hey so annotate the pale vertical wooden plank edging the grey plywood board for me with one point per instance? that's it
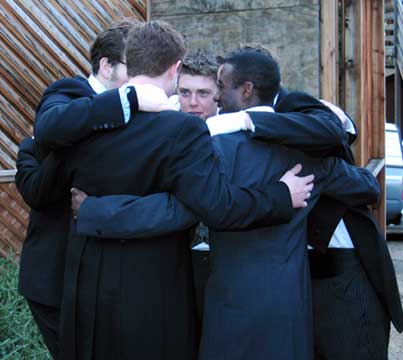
(329, 51)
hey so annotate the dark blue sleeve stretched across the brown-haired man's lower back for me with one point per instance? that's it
(128, 216)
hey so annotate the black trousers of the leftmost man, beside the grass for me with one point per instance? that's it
(47, 318)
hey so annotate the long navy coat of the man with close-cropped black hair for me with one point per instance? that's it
(260, 278)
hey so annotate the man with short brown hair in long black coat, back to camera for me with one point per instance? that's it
(141, 290)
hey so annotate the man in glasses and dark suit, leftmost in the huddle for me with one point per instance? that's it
(41, 184)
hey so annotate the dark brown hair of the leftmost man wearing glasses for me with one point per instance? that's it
(111, 43)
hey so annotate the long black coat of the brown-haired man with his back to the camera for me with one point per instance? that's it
(159, 152)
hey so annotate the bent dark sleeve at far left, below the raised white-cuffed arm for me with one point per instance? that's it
(39, 183)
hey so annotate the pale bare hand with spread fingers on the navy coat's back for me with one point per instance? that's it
(300, 186)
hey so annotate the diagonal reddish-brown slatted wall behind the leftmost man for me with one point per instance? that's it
(40, 42)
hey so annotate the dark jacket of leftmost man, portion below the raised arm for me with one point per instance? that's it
(43, 251)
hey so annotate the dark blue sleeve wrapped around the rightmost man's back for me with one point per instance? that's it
(350, 185)
